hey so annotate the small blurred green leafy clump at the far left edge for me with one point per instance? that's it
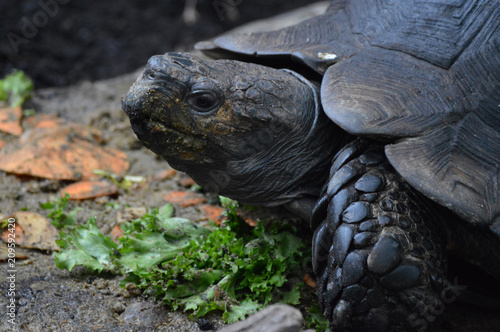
(15, 88)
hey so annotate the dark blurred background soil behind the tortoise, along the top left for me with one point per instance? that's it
(91, 40)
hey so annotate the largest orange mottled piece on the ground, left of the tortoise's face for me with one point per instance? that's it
(62, 152)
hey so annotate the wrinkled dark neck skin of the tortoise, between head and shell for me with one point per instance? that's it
(294, 166)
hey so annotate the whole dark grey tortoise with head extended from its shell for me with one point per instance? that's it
(378, 122)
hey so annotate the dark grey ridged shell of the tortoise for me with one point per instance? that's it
(422, 75)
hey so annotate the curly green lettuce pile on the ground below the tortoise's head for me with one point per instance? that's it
(233, 268)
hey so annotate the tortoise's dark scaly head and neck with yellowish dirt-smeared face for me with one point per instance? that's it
(249, 132)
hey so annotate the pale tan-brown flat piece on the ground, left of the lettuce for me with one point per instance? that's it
(38, 231)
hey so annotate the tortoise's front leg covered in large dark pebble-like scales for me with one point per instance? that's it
(378, 254)
